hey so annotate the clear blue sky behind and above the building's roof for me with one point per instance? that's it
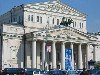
(89, 7)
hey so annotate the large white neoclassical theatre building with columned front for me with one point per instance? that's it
(31, 36)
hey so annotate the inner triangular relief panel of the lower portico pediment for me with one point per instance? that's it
(68, 34)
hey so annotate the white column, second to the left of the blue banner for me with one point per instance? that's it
(53, 55)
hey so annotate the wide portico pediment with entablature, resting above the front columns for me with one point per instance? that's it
(64, 34)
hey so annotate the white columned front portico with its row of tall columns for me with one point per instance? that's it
(56, 57)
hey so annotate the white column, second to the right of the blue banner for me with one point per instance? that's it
(80, 63)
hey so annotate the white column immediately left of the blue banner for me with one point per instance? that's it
(63, 56)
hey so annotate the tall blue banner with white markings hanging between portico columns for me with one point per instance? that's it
(68, 59)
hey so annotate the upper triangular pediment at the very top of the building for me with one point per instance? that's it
(56, 6)
